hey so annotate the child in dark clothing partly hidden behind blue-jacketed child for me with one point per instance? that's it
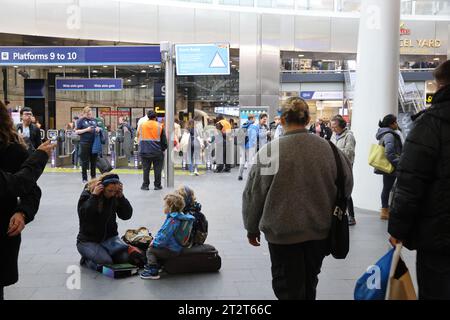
(194, 208)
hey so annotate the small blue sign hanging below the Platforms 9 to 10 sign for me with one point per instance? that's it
(93, 84)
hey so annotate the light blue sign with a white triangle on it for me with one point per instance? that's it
(202, 59)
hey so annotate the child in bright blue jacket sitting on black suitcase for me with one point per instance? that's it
(167, 243)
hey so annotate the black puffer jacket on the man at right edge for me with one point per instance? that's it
(420, 214)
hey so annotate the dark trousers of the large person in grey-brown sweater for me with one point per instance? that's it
(295, 269)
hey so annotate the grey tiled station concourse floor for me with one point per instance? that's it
(48, 247)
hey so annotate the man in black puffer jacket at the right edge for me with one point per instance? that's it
(420, 212)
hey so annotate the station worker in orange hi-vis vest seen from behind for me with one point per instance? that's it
(152, 144)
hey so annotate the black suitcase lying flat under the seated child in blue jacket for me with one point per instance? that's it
(202, 258)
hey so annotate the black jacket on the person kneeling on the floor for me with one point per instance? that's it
(98, 220)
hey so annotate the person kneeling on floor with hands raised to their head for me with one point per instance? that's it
(101, 202)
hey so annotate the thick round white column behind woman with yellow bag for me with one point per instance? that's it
(376, 90)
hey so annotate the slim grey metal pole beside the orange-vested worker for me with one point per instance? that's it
(167, 57)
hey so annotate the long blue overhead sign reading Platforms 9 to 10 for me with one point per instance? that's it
(70, 56)
